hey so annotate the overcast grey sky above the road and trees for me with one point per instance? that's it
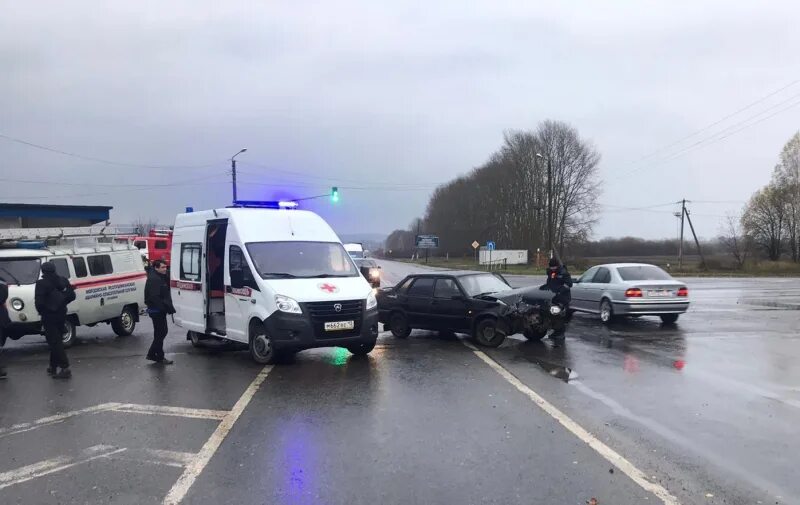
(390, 95)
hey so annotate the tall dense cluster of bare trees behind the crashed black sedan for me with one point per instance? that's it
(540, 188)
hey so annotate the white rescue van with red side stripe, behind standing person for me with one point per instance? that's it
(108, 280)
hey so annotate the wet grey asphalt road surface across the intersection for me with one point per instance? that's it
(709, 409)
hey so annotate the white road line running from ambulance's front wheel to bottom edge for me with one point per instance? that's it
(201, 459)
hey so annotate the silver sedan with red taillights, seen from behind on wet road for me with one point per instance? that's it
(630, 289)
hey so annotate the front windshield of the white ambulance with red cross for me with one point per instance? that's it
(288, 260)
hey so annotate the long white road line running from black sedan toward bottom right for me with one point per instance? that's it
(605, 451)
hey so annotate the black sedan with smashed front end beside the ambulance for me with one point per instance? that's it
(450, 302)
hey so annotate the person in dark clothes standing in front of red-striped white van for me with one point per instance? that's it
(52, 295)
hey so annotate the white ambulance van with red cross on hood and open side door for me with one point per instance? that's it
(278, 280)
